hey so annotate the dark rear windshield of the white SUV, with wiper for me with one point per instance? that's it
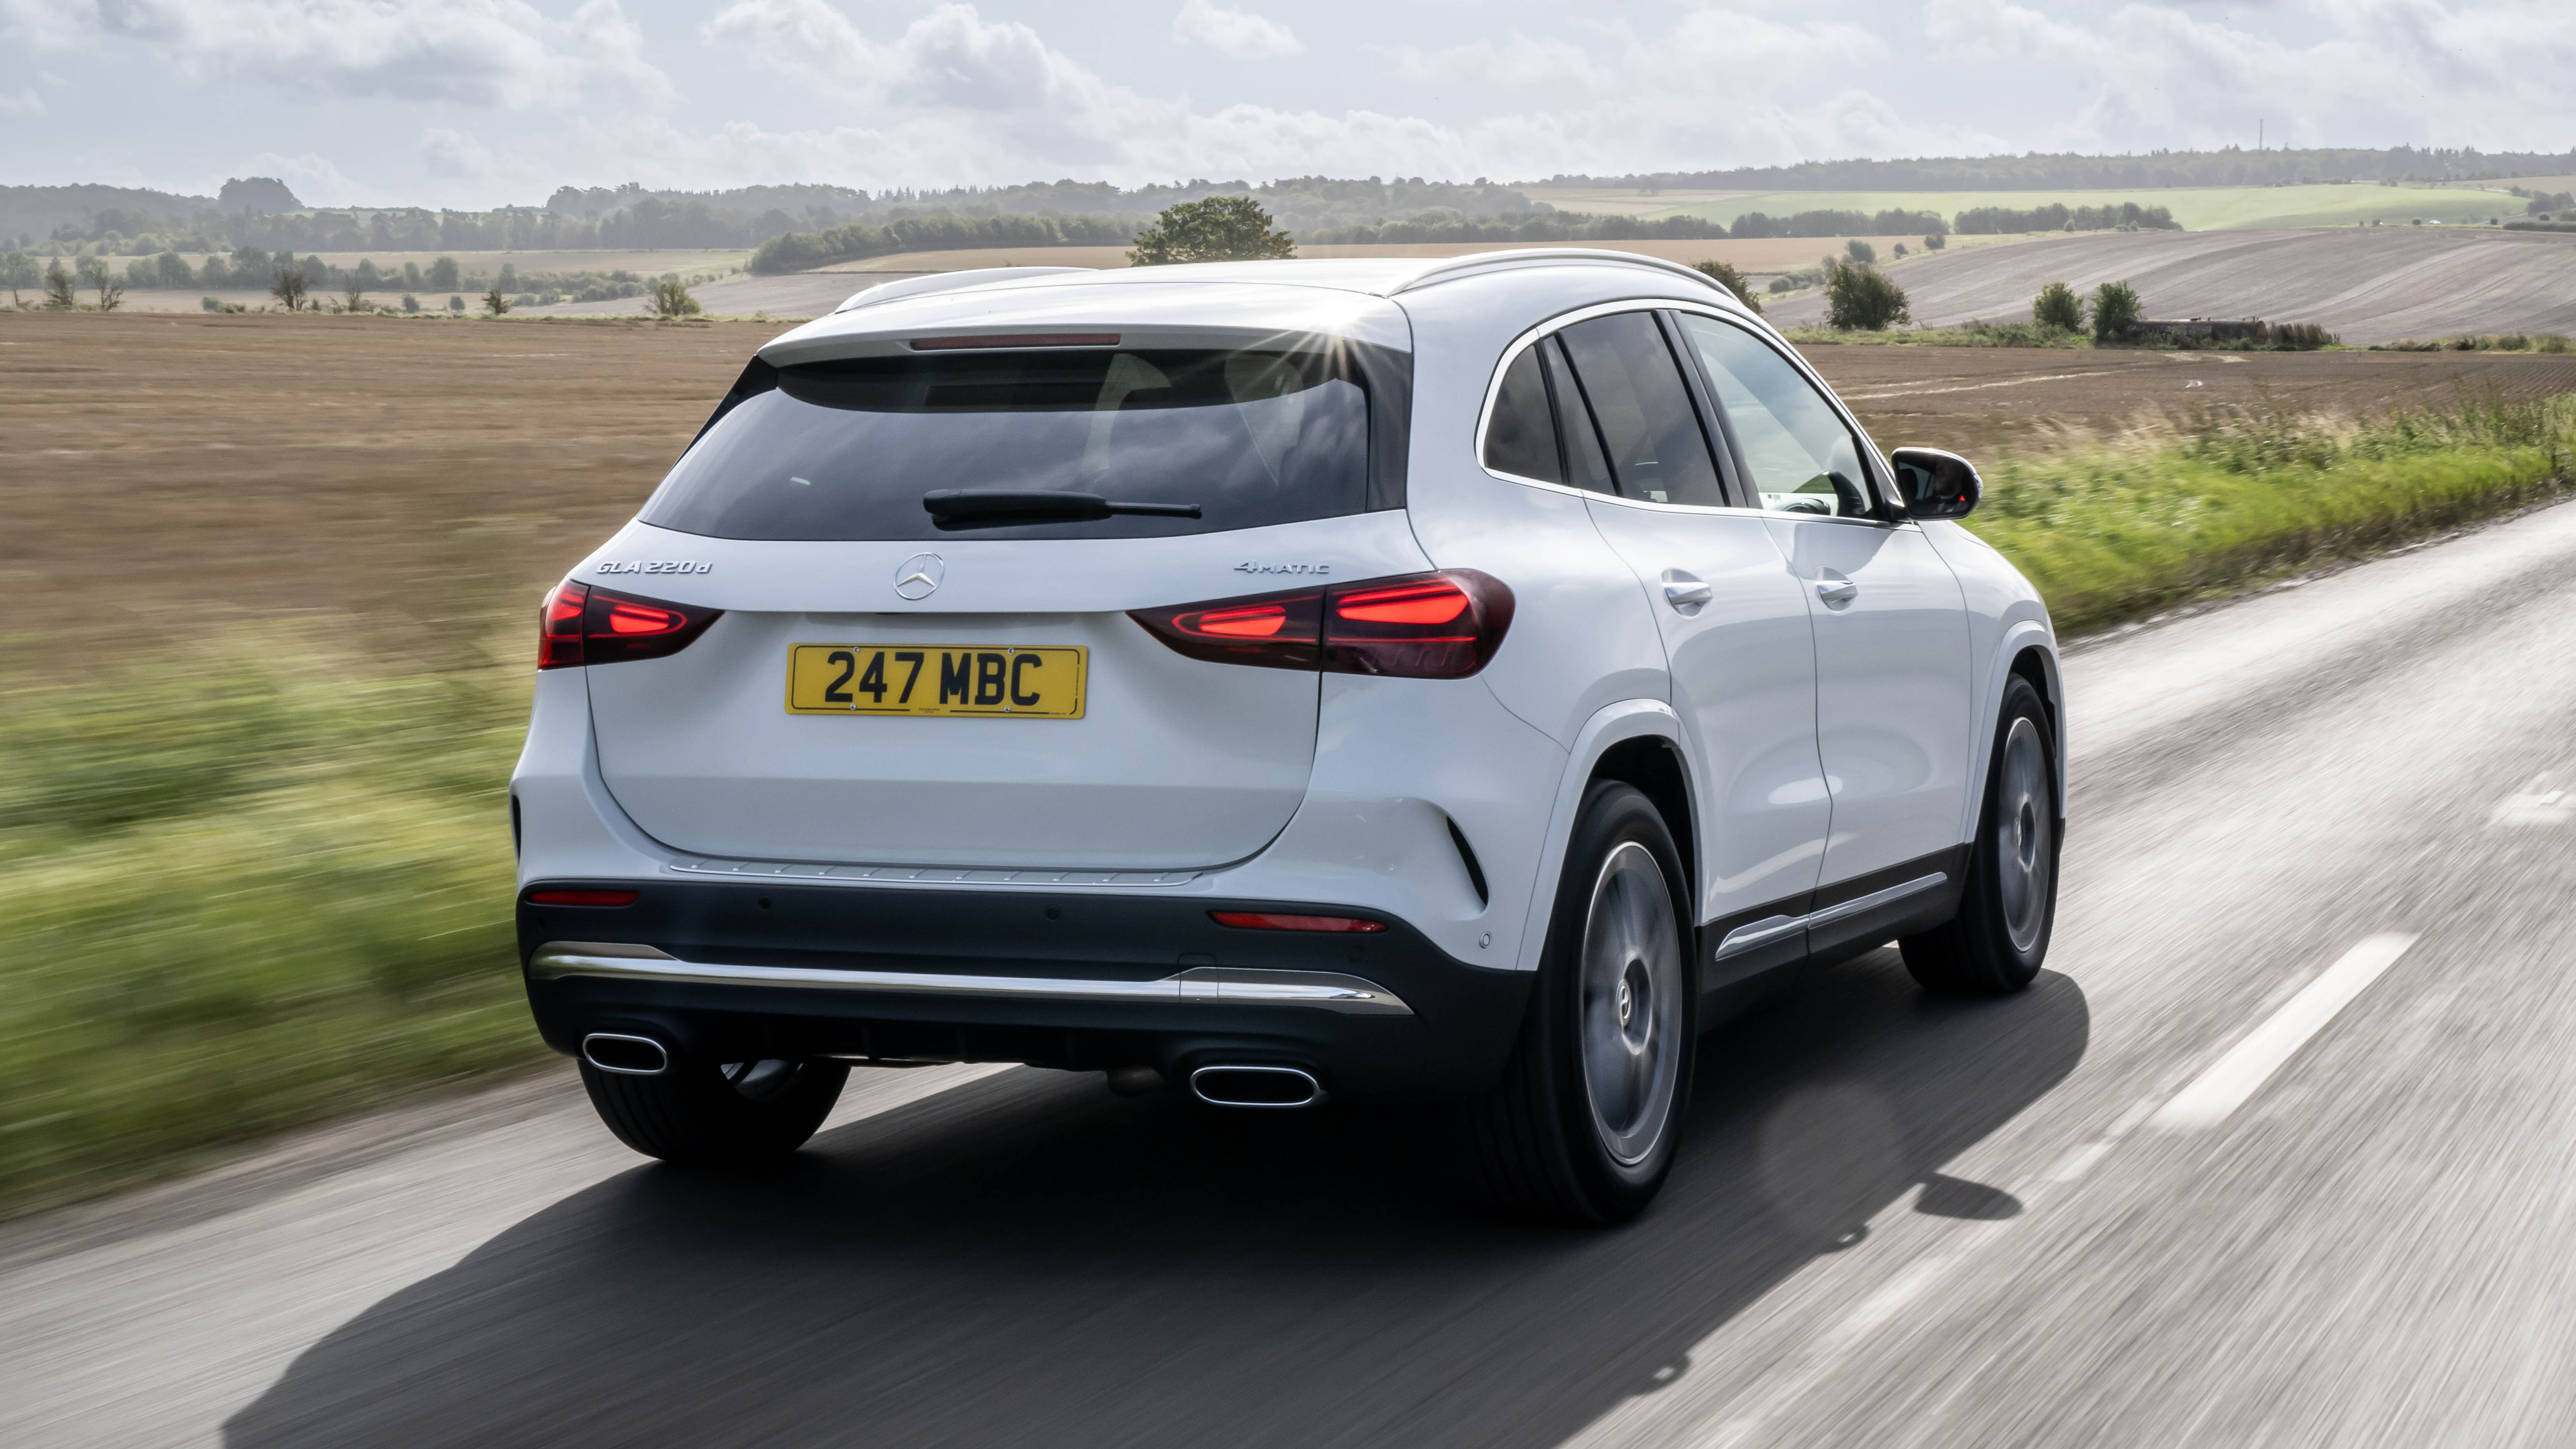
(846, 450)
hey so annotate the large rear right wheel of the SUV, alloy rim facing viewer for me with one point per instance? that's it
(1583, 1125)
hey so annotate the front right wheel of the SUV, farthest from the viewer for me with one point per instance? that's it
(2011, 899)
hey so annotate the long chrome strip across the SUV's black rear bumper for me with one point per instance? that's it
(1227, 986)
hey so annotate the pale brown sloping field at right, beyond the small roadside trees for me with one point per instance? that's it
(2371, 285)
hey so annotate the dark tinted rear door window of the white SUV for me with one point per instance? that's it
(1647, 424)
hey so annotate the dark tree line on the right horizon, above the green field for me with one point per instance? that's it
(2067, 171)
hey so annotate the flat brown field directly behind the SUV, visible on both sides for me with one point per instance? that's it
(403, 481)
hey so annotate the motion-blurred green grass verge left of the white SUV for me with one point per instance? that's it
(246, 891)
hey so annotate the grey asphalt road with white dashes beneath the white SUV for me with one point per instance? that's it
(2281, 1151)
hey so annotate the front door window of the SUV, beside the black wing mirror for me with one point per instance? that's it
(1797, 447)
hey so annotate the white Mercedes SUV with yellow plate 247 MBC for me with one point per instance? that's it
(1377, 679)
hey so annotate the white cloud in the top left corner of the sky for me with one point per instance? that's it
(480, 53)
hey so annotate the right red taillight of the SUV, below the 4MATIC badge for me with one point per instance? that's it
(1439, 625)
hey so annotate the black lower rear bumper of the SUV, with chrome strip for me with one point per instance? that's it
(1068, 981)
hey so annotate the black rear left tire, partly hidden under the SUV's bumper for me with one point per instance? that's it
(710, 1115)
